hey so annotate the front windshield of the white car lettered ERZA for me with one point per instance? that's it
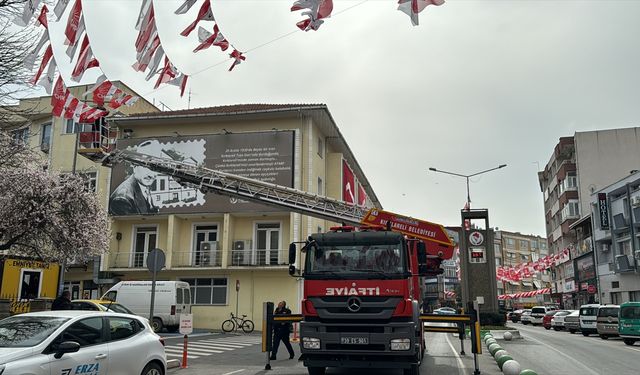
(27, 331)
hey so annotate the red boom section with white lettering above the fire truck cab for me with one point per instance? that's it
(421, 229)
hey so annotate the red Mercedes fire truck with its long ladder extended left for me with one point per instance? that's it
(362, 283)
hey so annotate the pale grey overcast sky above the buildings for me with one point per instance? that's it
(477, 84)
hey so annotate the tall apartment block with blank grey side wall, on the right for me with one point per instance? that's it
(579, 166)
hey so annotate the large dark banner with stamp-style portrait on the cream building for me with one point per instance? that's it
(136, 190)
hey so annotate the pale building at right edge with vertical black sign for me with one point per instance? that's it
(615, 217)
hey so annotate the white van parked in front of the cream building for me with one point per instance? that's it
(172, 299)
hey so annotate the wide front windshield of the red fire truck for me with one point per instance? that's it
(361, 261)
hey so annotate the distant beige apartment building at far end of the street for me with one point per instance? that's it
(515, 249)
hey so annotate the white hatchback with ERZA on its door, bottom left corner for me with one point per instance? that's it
(79, 342)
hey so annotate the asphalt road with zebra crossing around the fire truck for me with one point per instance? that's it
(220, 354)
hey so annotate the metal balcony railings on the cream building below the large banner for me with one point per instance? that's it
(205, 259)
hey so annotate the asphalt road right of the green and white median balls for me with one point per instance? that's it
(562, 353)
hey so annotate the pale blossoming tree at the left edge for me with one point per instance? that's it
(46, 214)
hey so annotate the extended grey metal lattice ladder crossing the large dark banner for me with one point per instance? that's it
(209, 180)
